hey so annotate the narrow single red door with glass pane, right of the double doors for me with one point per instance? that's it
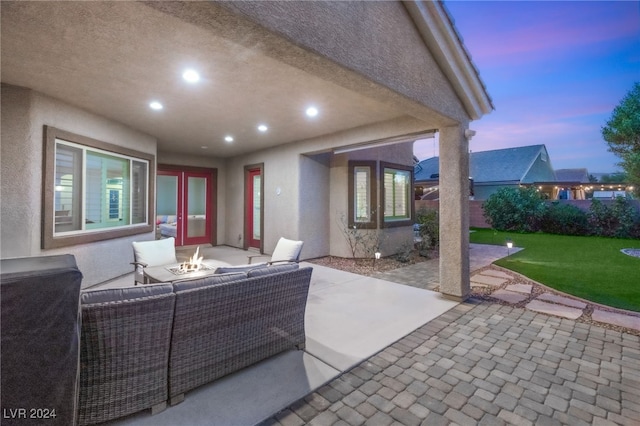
(253, 207)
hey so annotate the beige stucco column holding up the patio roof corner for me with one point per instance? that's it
(454, 212)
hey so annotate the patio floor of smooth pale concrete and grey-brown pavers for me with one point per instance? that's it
(380, 353)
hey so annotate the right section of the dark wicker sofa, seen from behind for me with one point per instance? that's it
(221, 328)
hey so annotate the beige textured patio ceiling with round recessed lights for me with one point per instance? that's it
(113, 58)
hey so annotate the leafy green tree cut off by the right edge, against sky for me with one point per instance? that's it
(622, 134)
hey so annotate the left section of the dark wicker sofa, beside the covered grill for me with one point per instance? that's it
(124, 351)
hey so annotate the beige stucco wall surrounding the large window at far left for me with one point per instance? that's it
(24, 113)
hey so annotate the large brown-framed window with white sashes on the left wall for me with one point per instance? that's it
(93, 189)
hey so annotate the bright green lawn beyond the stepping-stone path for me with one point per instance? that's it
(592, 268)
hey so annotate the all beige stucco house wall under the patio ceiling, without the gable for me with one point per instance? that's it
(312, 182)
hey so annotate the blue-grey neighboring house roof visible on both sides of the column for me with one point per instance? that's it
(526, 164)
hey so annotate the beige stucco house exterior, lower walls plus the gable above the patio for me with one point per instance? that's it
(385, 60)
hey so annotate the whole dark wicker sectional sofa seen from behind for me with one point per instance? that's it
(143, 346)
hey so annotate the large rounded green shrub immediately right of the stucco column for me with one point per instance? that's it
(515, 209)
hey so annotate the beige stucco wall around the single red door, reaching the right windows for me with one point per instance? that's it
(312, 188)
